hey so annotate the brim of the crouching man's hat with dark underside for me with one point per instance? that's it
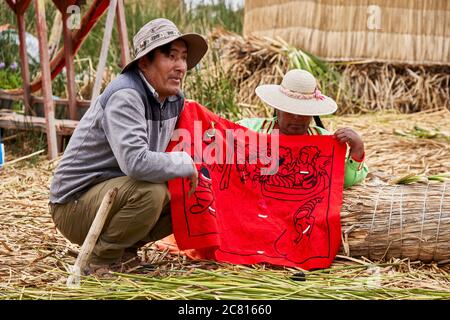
(196, 46)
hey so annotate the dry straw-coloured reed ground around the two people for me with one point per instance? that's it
(34, 257)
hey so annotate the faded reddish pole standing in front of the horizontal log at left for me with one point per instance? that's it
(41, 26)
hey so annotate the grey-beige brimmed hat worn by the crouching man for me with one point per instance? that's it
(161, 31)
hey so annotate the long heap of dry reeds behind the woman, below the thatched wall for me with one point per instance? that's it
(356, 86)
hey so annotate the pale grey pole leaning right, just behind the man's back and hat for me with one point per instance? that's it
(104, 51)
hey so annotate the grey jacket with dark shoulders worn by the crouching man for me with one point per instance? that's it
(125, 132)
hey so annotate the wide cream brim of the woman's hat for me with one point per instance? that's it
(272, 96)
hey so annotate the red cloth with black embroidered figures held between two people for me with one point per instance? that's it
(241, 216)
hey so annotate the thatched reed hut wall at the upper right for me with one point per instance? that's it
(405, 31)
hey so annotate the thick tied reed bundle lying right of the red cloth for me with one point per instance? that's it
(384, 221)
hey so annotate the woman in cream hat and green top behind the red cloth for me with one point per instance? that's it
(296, 101)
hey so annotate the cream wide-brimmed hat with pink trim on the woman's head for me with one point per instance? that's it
(297, 94)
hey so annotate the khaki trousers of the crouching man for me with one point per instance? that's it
(140, 214)
